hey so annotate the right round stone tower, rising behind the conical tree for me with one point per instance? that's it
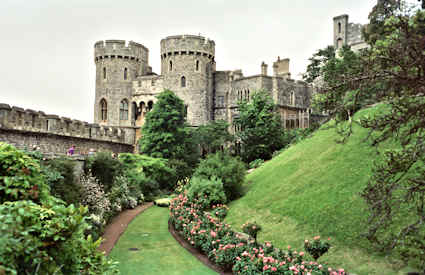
(187, 67)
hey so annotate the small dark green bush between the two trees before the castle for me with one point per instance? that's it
(213, 136)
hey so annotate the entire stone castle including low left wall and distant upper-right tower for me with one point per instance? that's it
(126, 90)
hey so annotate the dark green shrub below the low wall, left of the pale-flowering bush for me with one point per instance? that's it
(62, 181)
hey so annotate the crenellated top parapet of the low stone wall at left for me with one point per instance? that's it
(15, 118)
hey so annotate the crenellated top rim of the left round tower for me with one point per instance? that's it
(120, 49)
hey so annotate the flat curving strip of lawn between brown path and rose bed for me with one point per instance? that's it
(158, 252)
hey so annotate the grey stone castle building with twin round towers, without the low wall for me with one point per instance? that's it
(126, 87)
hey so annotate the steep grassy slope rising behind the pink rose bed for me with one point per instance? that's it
(313, 189)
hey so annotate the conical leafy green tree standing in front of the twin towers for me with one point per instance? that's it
(165, 133)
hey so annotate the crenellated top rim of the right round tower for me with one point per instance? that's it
(187, 44)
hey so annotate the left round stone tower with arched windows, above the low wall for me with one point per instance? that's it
(117, 65)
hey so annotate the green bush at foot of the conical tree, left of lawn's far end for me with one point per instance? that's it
(157, 169)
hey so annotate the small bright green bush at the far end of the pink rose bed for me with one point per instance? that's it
(206, 192)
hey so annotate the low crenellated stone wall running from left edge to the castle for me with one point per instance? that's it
(54, 134)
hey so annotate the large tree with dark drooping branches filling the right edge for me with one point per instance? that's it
(391, 71)
